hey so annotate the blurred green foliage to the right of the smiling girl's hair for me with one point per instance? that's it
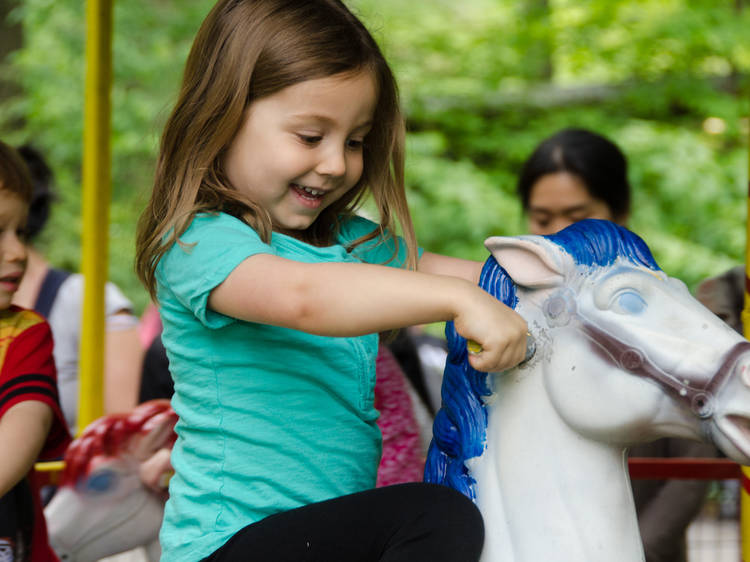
(653, 76)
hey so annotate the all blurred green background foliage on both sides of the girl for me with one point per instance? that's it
(483, 82)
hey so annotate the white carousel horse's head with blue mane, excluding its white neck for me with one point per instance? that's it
(626, 353)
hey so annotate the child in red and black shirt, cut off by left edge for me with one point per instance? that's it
(31, 423)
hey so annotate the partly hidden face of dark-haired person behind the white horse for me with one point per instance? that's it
(558, 200)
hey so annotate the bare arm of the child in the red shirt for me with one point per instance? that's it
(23, 431)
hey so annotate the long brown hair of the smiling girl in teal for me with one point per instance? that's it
(246, 50)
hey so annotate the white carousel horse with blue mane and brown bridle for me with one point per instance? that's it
(624, 355)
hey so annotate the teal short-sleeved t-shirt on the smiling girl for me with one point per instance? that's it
(269, 418)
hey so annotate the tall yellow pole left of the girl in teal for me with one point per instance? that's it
(96, 198)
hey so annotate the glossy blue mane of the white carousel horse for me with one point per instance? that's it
(459, 429)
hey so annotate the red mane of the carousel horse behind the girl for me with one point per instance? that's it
(110, 435)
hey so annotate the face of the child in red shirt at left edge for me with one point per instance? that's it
(13, 212)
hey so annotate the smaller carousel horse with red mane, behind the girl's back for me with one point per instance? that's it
(102, 507)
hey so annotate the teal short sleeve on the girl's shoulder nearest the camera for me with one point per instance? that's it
(209, 250)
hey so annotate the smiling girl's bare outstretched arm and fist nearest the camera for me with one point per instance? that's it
(345, 299)
